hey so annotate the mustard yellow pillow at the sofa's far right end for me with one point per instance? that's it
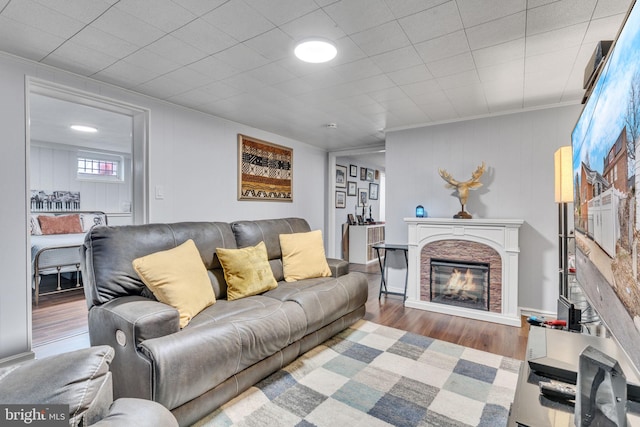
(303, 256)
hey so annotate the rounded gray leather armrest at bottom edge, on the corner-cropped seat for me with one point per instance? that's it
(137, 412)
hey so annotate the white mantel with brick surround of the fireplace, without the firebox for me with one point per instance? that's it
(471, 237)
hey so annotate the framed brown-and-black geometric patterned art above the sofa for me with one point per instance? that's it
(265, 170)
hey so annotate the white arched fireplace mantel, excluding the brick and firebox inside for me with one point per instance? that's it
(500, 234)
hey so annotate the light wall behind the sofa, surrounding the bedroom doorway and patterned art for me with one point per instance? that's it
(192, 155)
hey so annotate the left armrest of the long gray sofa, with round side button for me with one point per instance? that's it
(124, 323)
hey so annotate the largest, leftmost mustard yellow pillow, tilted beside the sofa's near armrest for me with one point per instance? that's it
(179, 278)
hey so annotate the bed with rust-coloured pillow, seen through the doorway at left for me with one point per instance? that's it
(56, 238)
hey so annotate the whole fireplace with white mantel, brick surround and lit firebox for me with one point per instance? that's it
(481, 255)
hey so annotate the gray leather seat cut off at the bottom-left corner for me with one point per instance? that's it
(80, 379)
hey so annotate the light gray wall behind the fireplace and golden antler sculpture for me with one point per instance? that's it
(518, 150)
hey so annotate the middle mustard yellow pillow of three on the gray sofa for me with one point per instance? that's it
(246, 271)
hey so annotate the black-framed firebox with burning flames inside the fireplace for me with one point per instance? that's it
(460, 283)
